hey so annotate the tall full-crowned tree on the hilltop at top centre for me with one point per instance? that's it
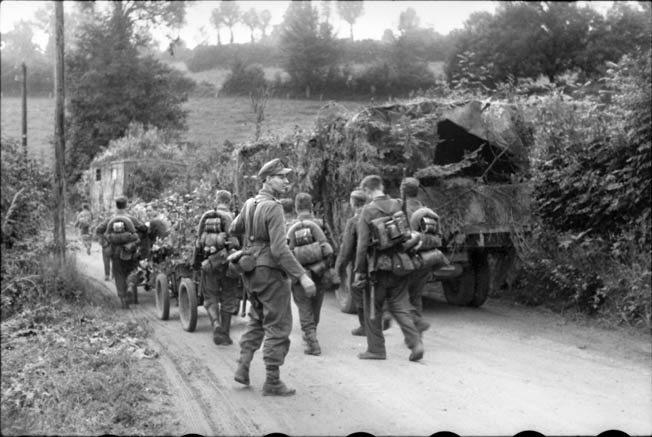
(308, 48)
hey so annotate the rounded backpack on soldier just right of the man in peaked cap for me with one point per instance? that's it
(307, 249)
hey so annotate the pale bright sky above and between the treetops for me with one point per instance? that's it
(442, 16)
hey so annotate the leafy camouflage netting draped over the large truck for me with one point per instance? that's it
(467, 156)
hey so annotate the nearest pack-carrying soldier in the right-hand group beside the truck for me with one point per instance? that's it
(381, 282)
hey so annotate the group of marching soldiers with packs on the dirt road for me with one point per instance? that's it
(278, 251)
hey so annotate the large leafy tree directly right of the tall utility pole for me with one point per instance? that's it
(109, 86)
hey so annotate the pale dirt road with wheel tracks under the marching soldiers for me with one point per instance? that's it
(496, 370)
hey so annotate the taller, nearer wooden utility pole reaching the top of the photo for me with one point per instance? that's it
(59, 142)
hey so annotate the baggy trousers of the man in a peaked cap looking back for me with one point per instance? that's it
(270, 316)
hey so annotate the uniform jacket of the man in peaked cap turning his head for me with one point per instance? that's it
(269, 237)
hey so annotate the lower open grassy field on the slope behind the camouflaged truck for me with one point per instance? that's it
(210, 120)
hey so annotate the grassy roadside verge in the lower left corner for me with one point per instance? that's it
(78, 368)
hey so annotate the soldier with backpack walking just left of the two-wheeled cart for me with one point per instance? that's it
(121, 231)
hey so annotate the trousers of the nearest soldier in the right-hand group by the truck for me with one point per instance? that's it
(393, 290)
